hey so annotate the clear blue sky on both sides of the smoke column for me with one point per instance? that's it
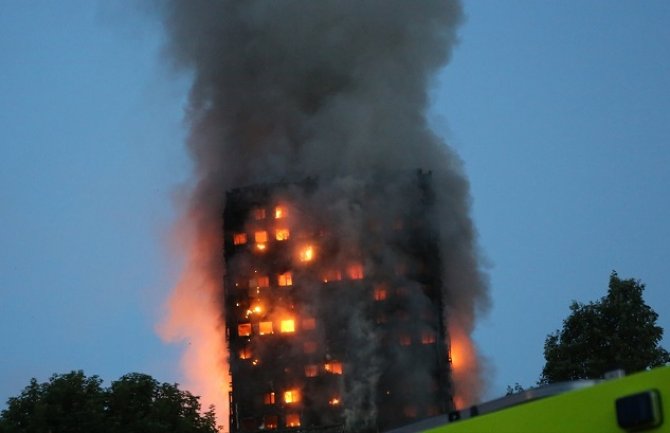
(560, 112)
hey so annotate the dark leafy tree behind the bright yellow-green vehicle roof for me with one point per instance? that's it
(618, 331)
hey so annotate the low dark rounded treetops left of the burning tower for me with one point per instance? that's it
(72, 403)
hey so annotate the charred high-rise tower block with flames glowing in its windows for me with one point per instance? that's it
(334, 307)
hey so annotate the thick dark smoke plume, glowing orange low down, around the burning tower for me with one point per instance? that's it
(333, 88)
